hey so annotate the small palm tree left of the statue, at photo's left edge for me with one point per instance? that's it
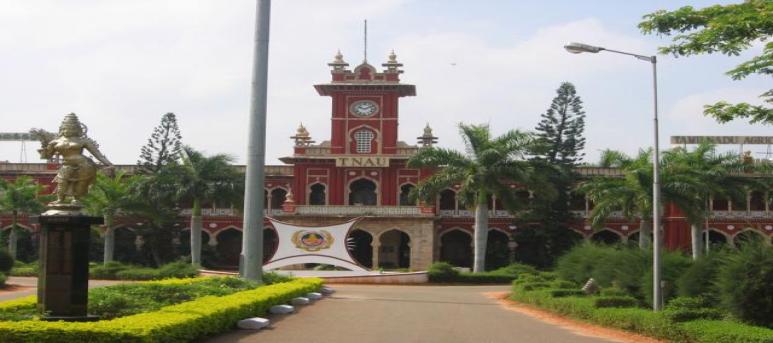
(20, 196)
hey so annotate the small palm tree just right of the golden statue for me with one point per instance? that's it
(108, 197)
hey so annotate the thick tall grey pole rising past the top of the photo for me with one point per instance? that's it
(251, 258)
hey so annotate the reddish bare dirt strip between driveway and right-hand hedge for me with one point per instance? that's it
(578, 327)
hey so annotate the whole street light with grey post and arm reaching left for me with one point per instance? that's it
(657, 297)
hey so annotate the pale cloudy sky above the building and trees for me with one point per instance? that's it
(120, 65)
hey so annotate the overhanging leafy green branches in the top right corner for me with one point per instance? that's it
(727, 29)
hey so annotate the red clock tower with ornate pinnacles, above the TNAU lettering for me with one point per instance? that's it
(365, 106)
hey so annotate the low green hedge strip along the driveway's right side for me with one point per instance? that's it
(643, 321)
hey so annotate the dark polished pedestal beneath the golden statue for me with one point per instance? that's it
(63, 283)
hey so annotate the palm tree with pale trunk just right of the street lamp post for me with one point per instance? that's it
(707, 174)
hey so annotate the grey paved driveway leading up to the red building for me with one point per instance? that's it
(408, 314)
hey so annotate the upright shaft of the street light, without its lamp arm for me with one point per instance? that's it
(657, 300)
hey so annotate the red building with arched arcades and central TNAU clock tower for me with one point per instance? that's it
(361, 172)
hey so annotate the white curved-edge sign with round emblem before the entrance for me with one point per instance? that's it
(330, 249)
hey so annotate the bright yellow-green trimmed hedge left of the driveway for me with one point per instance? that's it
(177, 323)
